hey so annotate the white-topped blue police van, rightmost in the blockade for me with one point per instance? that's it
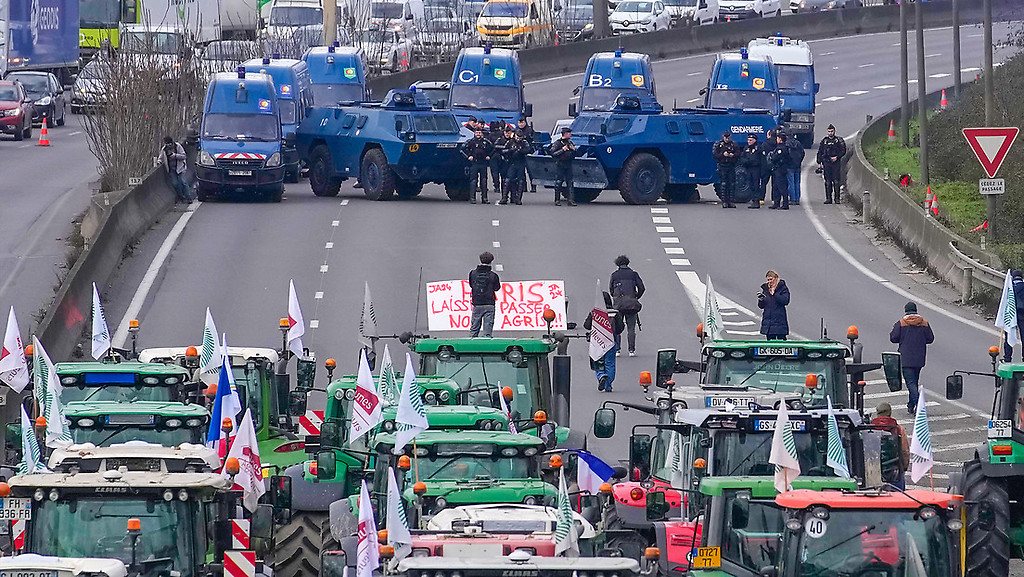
(795, 69)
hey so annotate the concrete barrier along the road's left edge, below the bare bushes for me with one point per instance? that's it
(69, 319)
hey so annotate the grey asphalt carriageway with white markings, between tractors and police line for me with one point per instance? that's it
(238, 259)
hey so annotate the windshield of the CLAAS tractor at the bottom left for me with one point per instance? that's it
(96, 527)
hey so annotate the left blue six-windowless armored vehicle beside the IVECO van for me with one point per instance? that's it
(394, 148)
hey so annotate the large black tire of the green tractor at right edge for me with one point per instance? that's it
(988, 523)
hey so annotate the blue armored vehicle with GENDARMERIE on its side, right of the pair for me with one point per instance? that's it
(645, 153)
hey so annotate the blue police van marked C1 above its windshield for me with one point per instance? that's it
(488, 84)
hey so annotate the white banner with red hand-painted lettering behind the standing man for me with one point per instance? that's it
(520, 306)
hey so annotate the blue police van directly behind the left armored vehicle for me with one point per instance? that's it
(338, 74)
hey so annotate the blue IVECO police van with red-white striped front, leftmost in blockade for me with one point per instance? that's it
(240, 139)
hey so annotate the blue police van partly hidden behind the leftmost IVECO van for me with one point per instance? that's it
(295, 95)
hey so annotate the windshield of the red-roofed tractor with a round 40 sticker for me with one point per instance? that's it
(877, 543)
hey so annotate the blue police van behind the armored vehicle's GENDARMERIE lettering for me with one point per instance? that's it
(740, 81)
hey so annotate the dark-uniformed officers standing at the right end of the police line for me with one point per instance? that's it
(745, 173)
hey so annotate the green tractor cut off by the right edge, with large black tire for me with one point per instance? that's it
(992, 482)
